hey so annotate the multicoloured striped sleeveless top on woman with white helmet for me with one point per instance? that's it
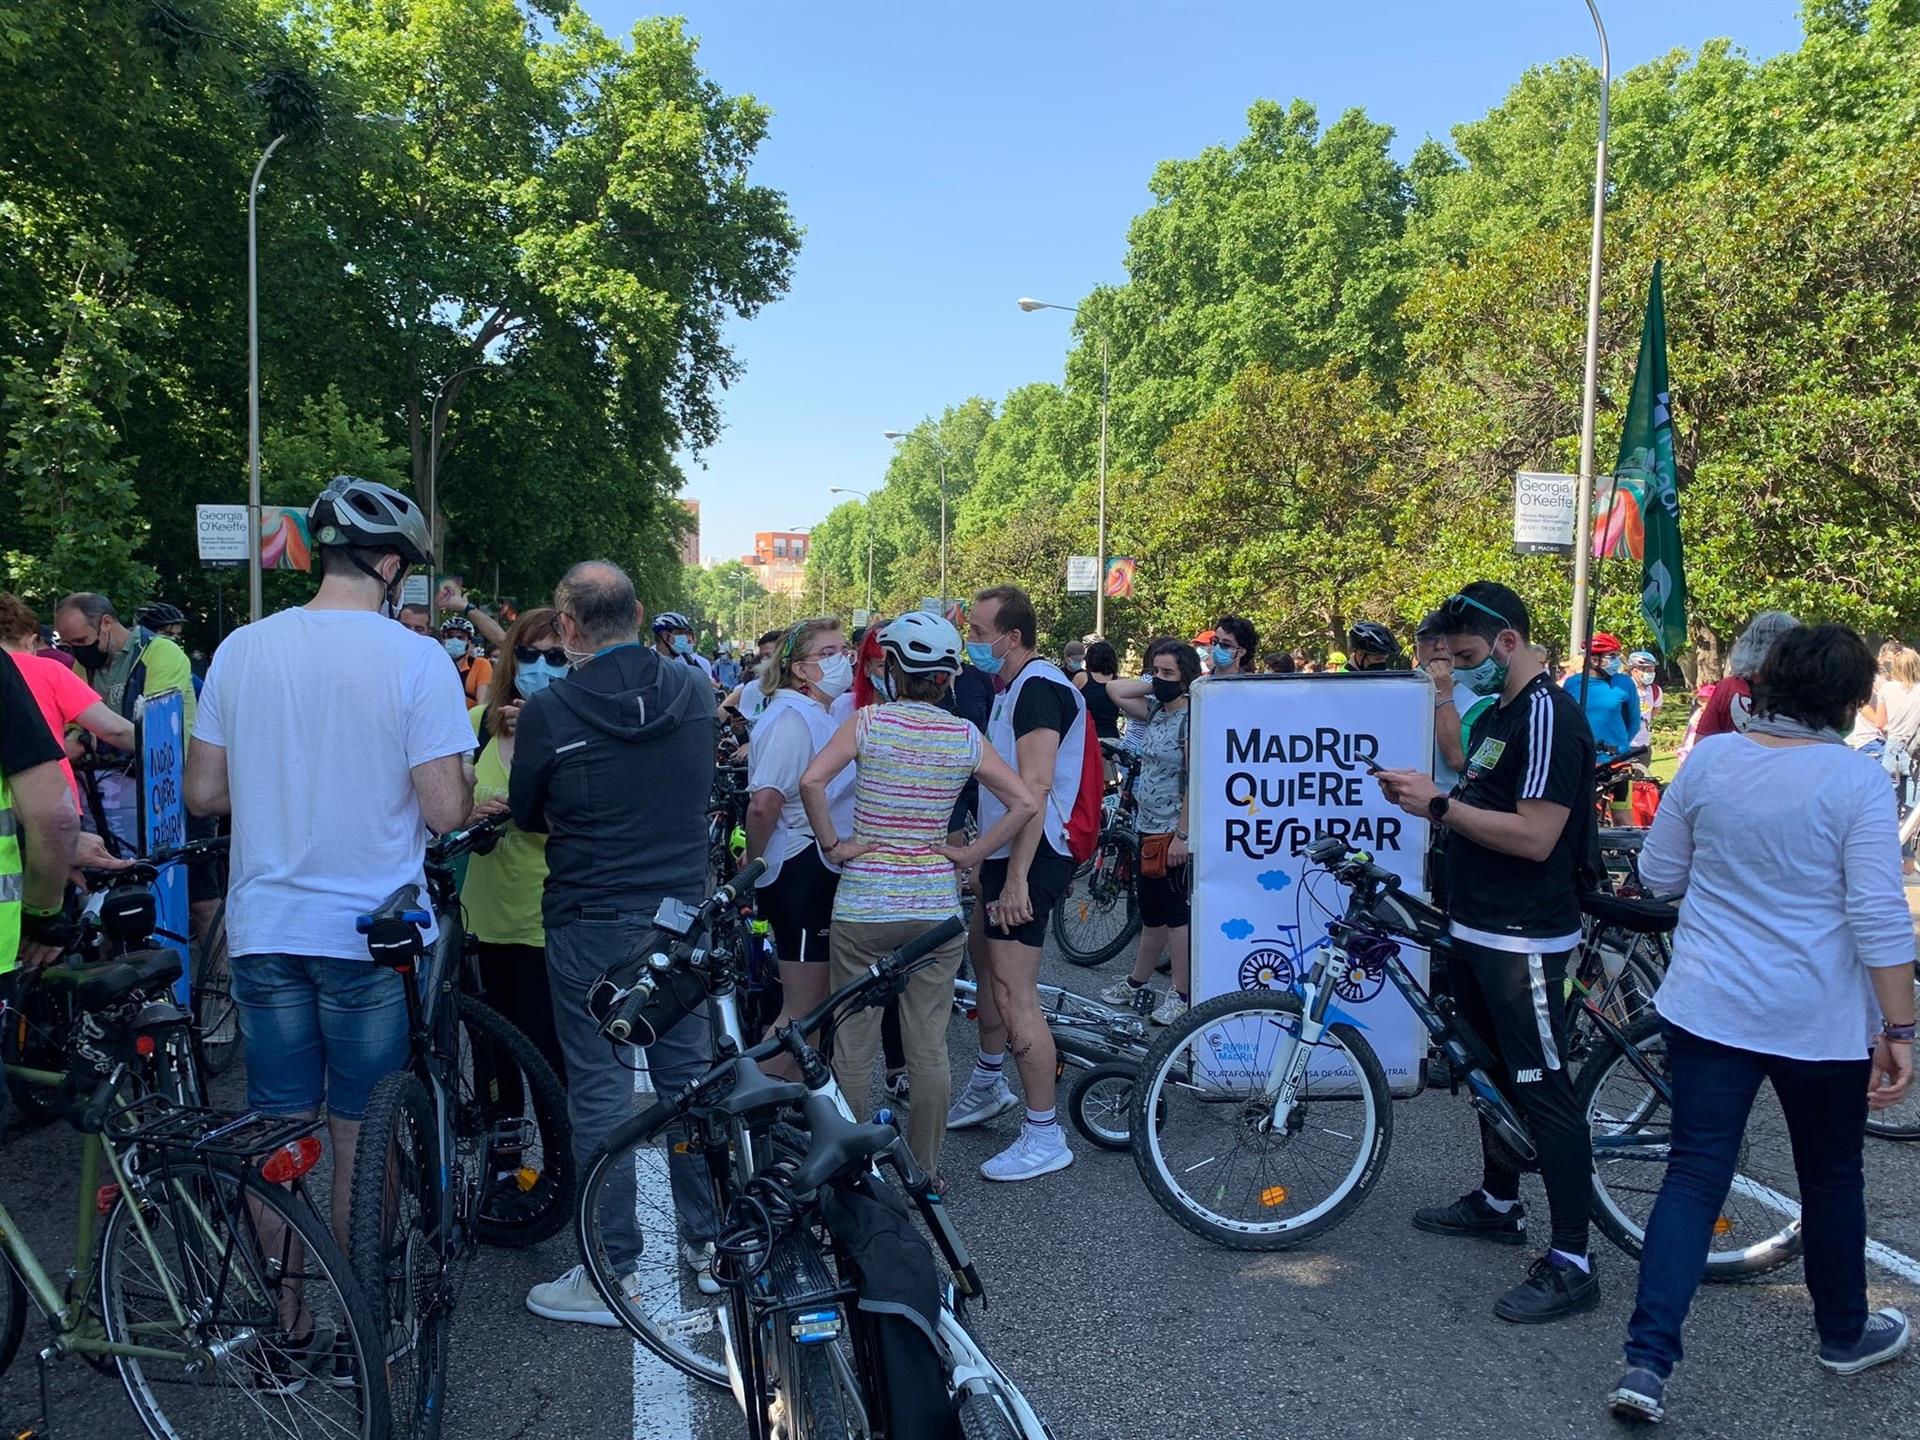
(915, 759)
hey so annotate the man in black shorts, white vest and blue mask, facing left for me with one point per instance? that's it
(1040, 729)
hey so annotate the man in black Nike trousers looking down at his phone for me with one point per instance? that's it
(1520, 836)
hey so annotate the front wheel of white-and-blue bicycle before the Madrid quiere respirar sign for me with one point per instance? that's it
(1211, 1157)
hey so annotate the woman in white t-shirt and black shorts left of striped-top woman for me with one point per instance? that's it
(800, 684)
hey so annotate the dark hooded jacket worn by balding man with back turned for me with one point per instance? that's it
(615, 765)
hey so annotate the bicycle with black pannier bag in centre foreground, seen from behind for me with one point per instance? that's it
(790, 1337)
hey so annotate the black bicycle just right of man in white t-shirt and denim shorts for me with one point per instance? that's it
(468, 1145)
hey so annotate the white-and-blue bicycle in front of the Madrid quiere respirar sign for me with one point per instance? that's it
(1303, 1099)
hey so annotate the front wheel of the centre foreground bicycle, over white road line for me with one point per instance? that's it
(627, 1207)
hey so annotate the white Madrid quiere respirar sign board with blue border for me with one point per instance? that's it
(1280, 761)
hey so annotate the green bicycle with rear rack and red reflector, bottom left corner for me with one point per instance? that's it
(203, 1274)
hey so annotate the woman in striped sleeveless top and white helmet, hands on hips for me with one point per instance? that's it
(900, 865)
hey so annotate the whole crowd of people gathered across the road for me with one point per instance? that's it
(894, 765)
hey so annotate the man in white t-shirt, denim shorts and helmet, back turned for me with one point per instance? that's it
(335, 740)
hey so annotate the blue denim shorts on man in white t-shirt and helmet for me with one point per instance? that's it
(318, 1032)
